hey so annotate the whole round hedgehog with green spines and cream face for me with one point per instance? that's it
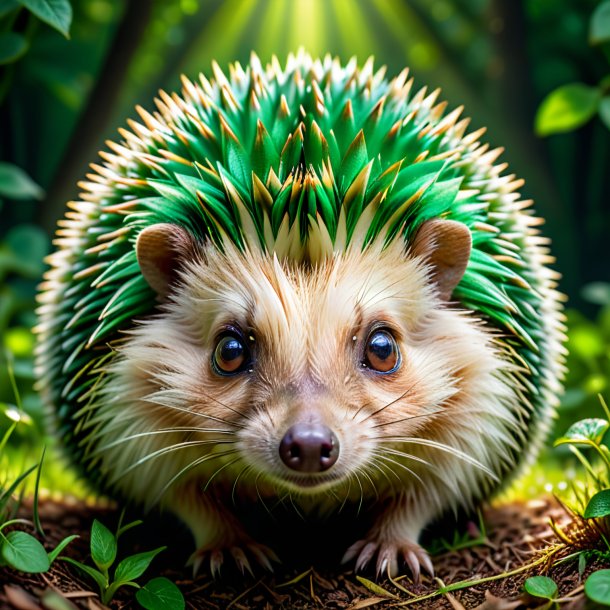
(305, 285)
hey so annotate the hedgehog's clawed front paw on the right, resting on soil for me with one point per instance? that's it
(389, 554)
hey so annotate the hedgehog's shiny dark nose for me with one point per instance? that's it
(309, 448)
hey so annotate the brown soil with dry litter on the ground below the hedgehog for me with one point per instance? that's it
(517, 535)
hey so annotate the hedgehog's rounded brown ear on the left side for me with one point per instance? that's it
(160, 250)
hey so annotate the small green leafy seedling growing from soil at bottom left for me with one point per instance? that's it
(156, 594)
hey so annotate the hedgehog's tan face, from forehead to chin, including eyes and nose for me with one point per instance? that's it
(312, 343)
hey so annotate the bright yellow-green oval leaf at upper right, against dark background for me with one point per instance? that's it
(566, 108)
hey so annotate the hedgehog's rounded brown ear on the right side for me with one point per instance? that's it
(445, 245)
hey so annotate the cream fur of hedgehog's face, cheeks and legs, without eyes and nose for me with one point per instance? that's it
(455, 389)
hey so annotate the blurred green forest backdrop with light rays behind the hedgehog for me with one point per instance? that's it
(534, 72)
